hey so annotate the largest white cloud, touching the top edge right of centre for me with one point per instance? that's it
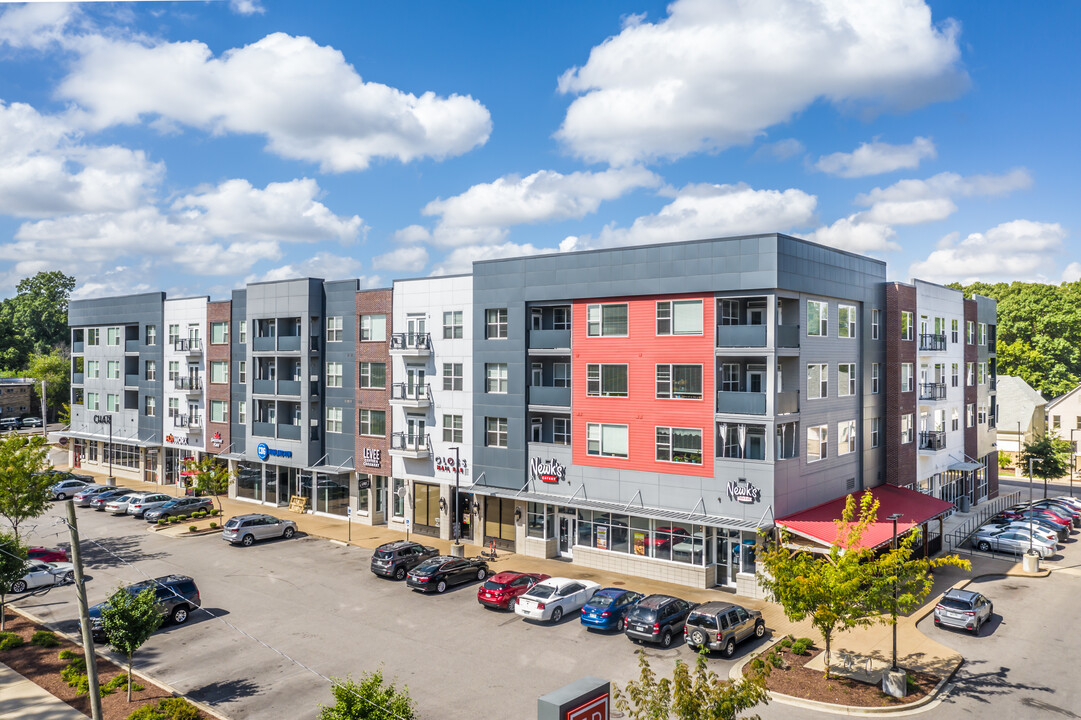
(718, 73)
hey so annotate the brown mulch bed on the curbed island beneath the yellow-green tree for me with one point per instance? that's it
(796, 681)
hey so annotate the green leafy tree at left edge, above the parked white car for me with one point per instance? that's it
(24, 492)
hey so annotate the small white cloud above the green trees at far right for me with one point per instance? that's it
(1018, 250)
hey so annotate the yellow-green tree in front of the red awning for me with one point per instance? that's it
(852, 585)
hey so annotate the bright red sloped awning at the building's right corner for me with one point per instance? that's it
(818, 524)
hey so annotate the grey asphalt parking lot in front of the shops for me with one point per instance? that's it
(317, 604)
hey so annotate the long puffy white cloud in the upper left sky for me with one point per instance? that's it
(305, 99)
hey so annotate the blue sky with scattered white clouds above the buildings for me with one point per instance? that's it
(196, 146)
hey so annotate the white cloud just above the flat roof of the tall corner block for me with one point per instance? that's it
(711, 211)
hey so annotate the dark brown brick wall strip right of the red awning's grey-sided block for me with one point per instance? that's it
(900, 459)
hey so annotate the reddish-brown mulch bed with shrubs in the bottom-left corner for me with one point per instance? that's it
(43, 666)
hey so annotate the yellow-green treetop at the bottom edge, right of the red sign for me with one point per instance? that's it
(698, 696)
